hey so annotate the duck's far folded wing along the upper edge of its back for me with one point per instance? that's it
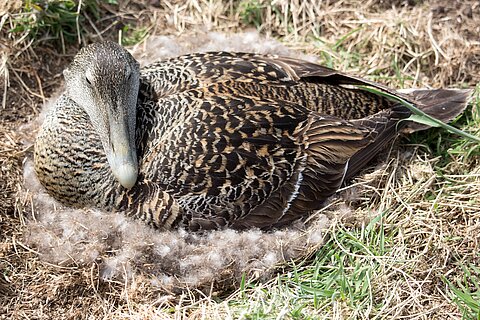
(310, 85)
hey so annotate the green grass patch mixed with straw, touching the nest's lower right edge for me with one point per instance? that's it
(342, 273)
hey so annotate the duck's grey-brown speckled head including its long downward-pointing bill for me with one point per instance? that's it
(103, 79)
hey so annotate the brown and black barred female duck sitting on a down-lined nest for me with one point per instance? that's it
(213, 140)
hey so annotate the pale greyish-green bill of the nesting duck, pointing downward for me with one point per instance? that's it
(123, 157)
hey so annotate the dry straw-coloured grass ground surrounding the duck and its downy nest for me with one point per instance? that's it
(404, 242)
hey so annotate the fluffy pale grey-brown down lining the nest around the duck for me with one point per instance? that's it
(125, 248)
